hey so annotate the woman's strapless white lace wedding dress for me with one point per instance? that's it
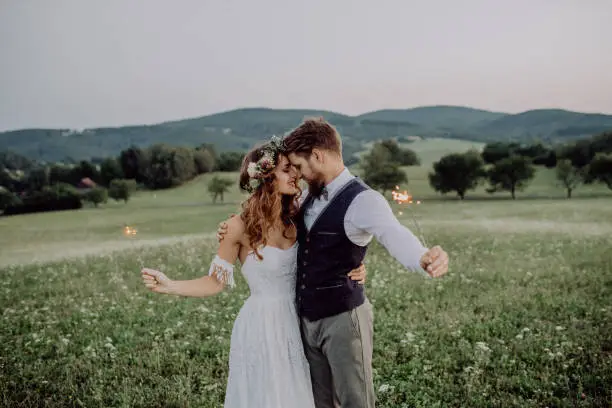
(267, 365)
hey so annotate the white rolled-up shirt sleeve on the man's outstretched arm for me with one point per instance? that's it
(370, 215)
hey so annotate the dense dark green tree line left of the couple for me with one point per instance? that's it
(27, 186)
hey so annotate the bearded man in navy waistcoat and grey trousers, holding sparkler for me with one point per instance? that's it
(338, 218)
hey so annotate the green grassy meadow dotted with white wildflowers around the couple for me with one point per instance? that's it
(523, 319)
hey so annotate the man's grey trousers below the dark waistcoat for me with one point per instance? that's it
(339, 351)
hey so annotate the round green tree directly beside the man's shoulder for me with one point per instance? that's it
(380, 171)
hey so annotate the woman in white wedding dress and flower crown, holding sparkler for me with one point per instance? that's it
(267, 365)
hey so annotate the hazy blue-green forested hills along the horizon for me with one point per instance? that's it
(241, 128)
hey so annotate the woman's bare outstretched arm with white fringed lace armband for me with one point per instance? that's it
(220, 273)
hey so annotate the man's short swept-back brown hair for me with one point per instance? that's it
(313, 133)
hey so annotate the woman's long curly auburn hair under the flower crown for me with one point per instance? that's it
(265, 209)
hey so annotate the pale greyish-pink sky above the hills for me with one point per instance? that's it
(88, 63)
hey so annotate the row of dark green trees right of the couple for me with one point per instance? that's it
(506, 167)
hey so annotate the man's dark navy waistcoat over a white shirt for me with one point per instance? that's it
(325, 257)
